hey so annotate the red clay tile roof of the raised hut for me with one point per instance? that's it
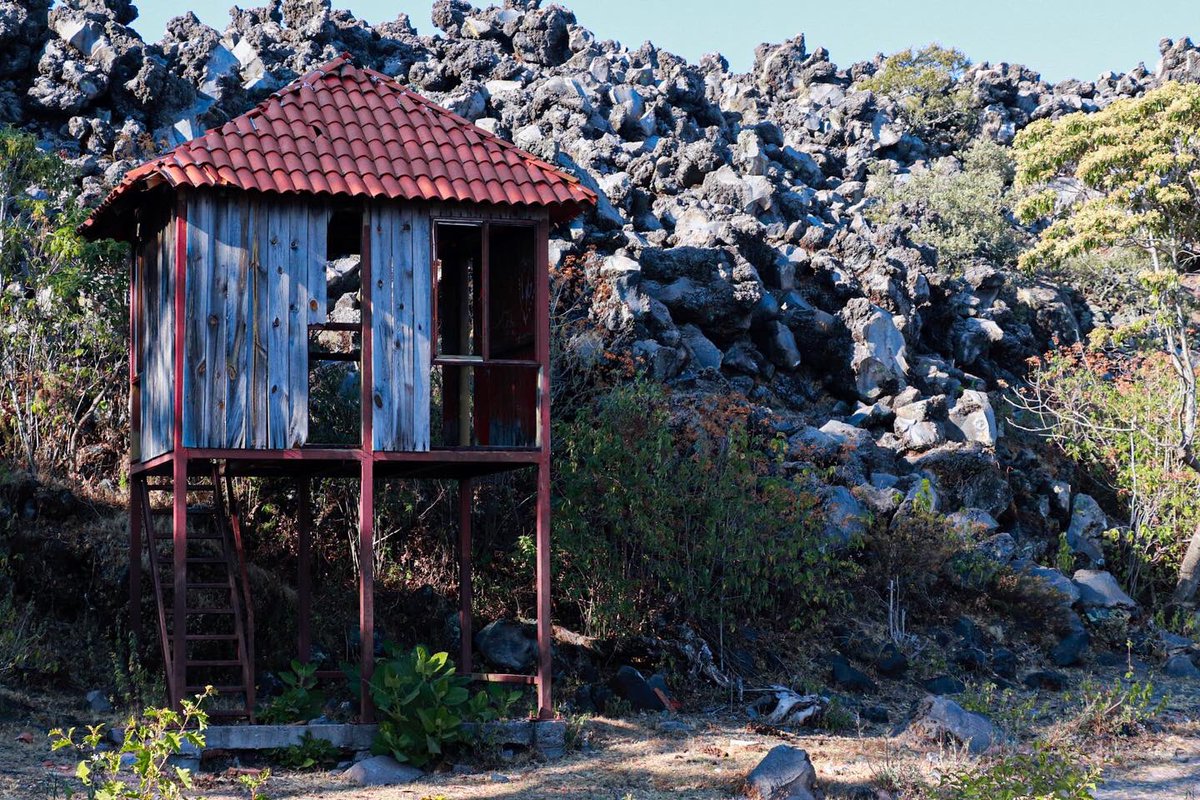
(349, 131)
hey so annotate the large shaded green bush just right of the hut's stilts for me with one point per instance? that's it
(687, 512)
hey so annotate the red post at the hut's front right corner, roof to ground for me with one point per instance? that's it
(545, 633)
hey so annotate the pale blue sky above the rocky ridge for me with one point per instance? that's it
(1060, 39)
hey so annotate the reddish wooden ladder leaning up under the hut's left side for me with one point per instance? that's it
(219, 615)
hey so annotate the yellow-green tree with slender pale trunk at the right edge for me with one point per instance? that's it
(1129, 177)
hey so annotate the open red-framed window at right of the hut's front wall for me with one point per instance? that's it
(485, 359)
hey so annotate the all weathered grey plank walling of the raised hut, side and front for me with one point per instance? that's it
(256, 281)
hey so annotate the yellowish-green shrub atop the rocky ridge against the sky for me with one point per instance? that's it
(927, 85)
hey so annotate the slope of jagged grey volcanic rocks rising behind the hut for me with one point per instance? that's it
(733, 228)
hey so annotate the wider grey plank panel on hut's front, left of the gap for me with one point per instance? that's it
(251, 263)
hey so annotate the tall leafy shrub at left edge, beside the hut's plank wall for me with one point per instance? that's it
(64, 311)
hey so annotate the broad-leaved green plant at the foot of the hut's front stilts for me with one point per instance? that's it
(424, 705)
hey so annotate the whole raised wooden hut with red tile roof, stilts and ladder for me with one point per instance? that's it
(231, 318)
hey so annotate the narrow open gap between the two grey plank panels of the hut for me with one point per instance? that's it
(335, 347)
